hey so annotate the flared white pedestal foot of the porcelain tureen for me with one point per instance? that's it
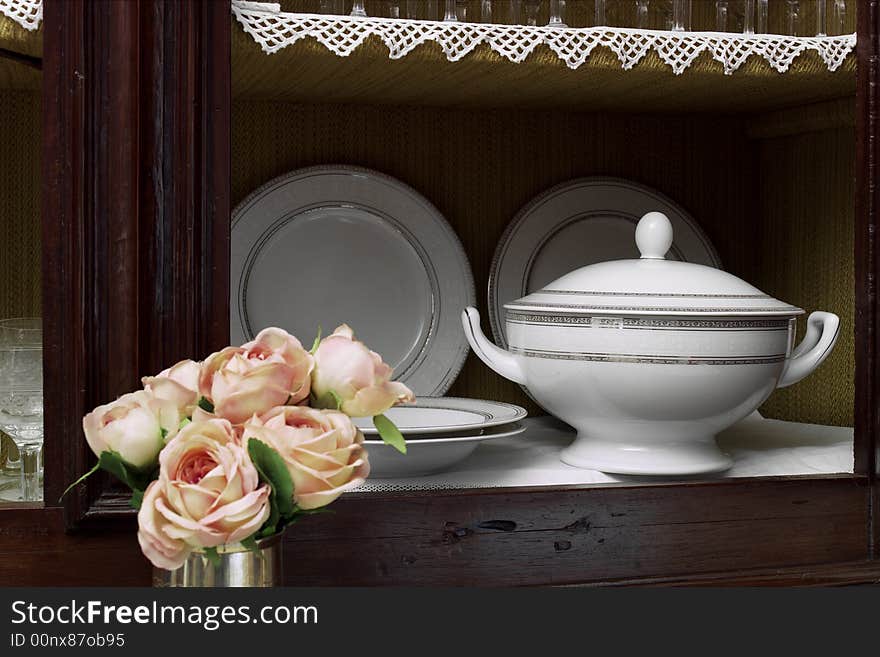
(686, 456)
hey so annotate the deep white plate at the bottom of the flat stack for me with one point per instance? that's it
(430, 454)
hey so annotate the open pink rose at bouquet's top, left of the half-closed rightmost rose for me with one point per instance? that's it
(269, 371)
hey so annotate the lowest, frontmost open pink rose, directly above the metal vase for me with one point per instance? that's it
(208, 493)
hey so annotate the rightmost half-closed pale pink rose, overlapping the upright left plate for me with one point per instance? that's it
(348, 371)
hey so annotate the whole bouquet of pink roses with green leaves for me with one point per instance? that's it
(237, 447)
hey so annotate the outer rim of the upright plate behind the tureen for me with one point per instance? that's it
(495, 322)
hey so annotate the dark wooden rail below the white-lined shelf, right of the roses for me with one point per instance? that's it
(528, 537)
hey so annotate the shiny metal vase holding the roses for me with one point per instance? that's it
(238, 566)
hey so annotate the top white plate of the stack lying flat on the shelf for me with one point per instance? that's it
(444, 415)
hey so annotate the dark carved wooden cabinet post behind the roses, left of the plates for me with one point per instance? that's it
(136, 210)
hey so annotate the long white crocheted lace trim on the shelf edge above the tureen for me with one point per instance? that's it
(275, 30)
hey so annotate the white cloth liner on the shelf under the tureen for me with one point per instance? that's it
(759, 447)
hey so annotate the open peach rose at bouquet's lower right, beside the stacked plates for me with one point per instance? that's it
(323, 451)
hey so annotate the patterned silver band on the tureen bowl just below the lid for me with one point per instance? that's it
(587, 321)
